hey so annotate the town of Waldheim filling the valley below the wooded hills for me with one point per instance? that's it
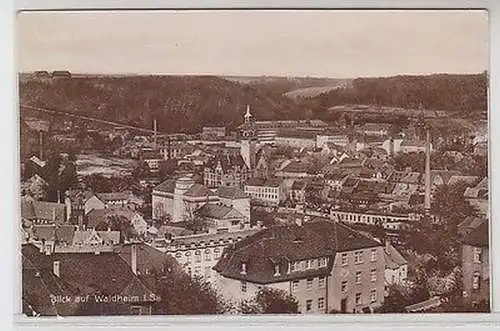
(268, 216)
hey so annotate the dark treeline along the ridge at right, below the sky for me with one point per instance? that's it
(440, 91)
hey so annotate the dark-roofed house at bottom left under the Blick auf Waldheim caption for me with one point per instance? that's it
(104, 284)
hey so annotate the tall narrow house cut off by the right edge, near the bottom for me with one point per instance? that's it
(476, 265)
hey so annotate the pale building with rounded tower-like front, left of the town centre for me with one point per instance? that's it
(178, 199)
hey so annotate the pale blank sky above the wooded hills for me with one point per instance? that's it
(337, 44)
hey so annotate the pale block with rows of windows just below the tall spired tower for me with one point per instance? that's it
(269, 191)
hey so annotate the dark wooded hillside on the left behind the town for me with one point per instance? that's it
(180, 103)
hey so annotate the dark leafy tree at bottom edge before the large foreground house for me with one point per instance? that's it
(270, 301)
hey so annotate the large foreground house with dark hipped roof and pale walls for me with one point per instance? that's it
(325, 265)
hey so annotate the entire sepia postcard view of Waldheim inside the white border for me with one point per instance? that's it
(247, 162)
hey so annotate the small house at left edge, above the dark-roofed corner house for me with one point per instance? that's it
(43, 212)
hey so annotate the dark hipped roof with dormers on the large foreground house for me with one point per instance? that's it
(280, 245)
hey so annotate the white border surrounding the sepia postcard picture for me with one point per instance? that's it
(9, 130)
